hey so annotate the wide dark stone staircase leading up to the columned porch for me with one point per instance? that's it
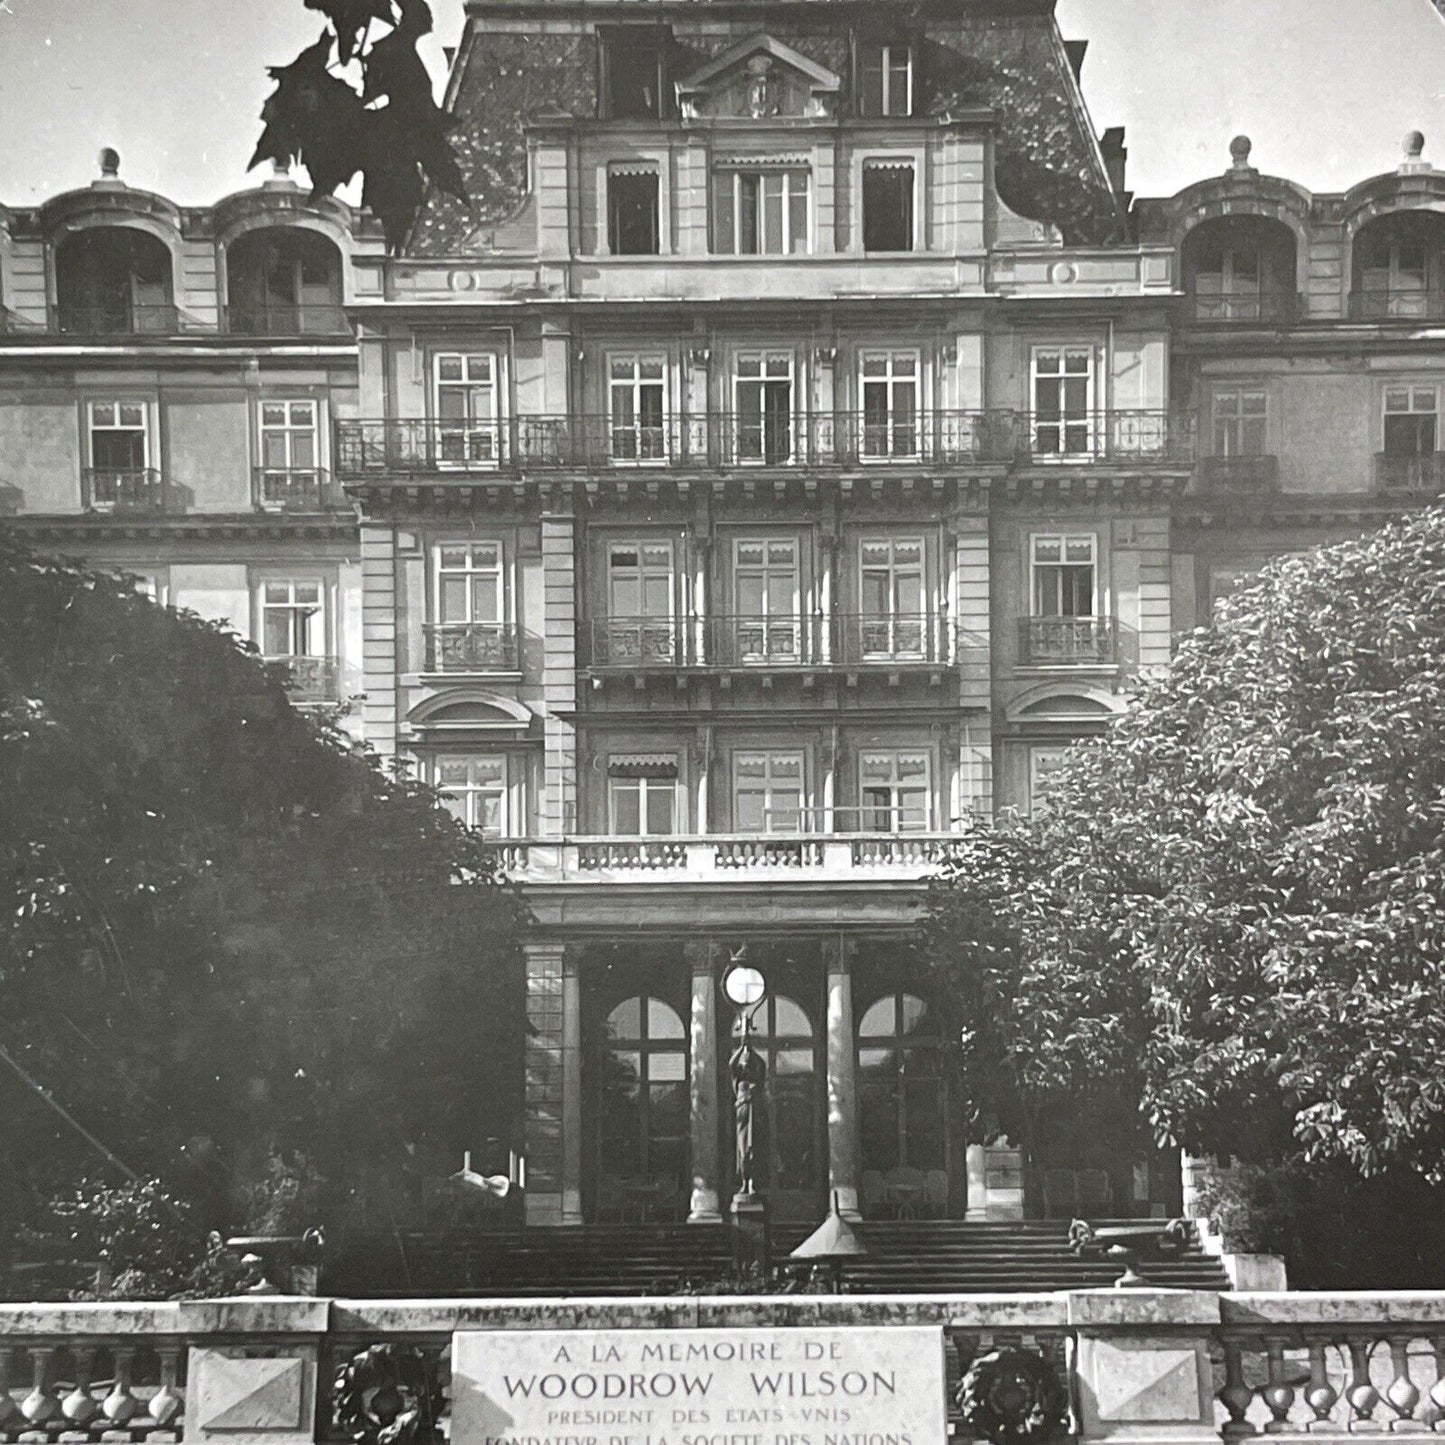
(926, 1256)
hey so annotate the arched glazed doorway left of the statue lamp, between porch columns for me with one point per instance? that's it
(642, 1121)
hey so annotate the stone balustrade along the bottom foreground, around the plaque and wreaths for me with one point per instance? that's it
(1141, 1366)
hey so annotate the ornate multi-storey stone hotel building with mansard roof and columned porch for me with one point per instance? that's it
(801, 440)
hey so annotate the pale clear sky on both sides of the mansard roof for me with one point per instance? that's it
(1326, 89)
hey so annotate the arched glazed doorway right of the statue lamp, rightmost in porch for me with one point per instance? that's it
(902, 1110)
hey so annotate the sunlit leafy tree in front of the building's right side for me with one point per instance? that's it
(1235, 907)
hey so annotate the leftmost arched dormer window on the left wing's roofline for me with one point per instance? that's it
(113, 281)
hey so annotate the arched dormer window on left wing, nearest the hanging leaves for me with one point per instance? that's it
(284, 282)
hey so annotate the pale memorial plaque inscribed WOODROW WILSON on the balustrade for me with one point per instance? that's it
(849, 1386)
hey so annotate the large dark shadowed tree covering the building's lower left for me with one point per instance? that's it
(228, 933)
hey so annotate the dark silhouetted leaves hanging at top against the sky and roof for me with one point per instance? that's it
(385, 128)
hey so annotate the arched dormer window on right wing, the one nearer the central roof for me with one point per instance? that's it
(1241, 268)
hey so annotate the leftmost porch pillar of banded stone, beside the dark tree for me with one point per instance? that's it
(554, 1086)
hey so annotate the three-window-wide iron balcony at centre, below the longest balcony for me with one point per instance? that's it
(790, 641)
